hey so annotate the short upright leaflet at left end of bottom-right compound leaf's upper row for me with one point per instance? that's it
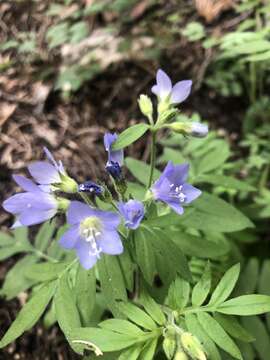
(178, 294)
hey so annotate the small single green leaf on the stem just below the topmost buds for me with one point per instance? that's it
(130, 135)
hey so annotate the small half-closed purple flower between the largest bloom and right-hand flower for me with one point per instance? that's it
(132, 212)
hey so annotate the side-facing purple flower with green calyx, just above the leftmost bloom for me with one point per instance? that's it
(52, 173)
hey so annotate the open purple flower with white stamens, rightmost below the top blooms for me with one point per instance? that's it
(172, 189)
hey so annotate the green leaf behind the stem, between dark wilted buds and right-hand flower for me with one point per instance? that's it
(140, 170)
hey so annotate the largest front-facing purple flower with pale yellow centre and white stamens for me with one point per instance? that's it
(92, 232)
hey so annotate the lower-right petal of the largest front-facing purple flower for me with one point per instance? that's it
(110, 242)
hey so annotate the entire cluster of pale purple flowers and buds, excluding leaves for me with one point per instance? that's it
(93, 231)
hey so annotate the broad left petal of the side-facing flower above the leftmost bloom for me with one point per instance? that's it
(44, 173)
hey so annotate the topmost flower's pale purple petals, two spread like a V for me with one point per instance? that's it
(165, 91)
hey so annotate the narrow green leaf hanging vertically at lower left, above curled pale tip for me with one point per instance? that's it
(66, 310)
